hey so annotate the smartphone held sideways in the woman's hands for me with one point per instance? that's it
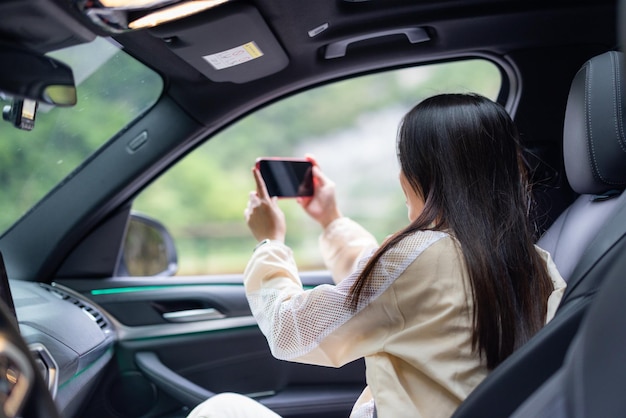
(287, 177)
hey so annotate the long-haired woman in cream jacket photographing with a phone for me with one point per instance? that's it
(442, 301)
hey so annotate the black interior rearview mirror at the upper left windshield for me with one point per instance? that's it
(26, 74)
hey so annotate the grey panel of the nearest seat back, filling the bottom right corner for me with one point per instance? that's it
(590, 383)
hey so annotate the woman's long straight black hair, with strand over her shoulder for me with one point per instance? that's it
(462, 154)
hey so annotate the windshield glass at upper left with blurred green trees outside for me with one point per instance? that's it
(113, 90)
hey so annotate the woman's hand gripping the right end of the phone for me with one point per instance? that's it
(322, 206)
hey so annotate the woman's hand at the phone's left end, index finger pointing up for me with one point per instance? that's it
(263, 216)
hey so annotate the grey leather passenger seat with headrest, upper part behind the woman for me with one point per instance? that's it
(594, 152)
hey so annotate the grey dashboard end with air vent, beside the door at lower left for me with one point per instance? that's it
(70, 339)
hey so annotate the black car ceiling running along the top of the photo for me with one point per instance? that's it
(454, 28)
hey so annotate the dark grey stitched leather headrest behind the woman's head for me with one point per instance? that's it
(594, 137)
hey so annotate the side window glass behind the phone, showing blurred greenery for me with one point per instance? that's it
(348, 126)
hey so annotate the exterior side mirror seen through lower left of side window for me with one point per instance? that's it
(148, 249)
